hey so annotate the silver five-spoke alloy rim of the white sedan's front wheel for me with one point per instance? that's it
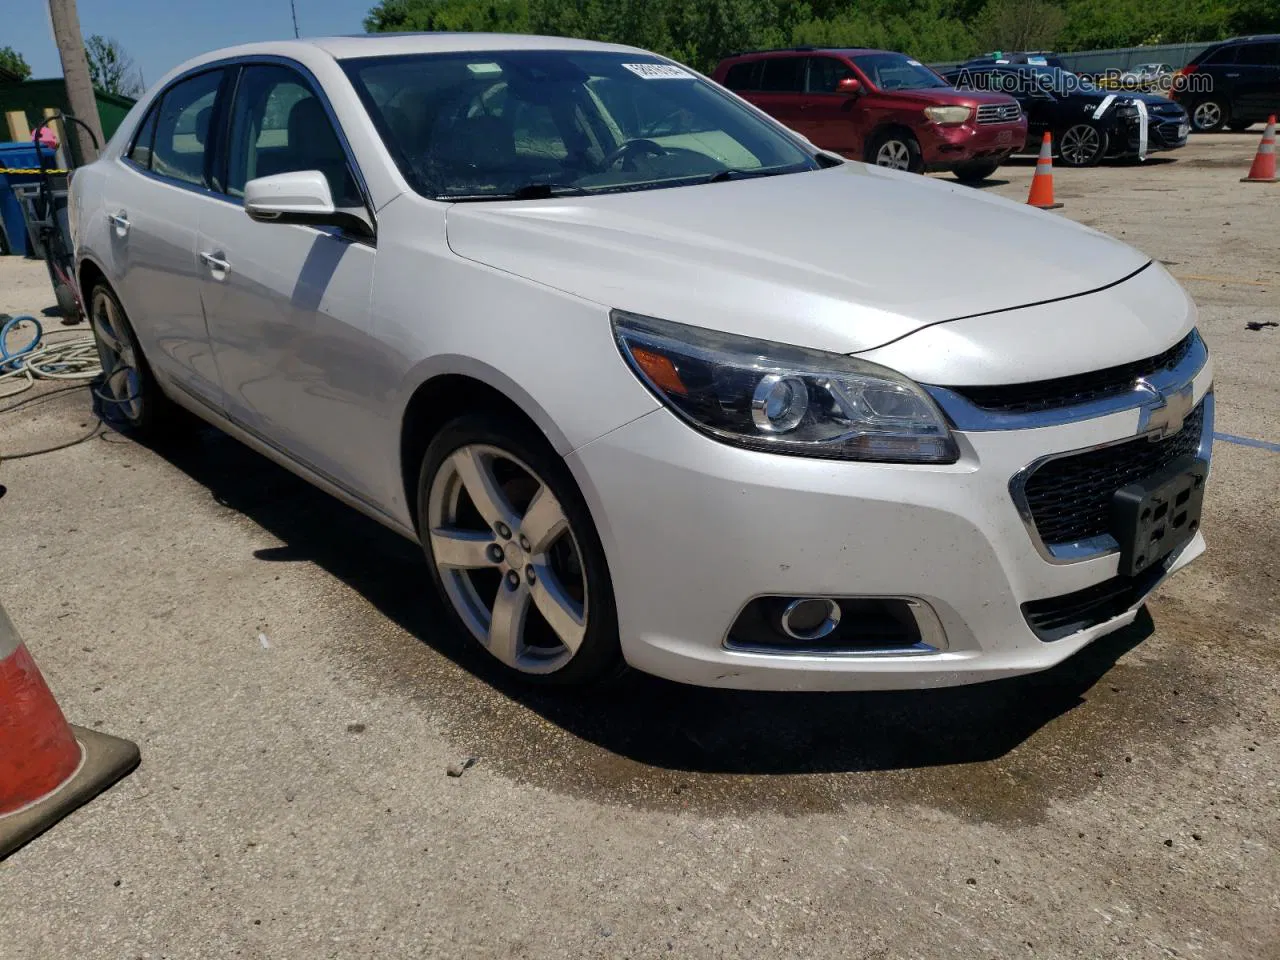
(508, 557)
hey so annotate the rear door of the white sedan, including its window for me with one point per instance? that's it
(153, 207)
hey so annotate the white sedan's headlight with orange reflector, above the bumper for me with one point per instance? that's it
(783, 399)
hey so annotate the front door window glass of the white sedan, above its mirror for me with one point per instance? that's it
(281, 126)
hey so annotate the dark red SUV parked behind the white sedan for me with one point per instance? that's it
(880, 107)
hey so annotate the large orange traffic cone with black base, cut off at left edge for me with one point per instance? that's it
(48, 769)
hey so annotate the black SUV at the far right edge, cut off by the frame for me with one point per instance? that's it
(1235, 84)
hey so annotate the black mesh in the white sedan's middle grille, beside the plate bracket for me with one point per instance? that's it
(1071, 499)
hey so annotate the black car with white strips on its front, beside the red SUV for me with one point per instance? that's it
(1087, 124)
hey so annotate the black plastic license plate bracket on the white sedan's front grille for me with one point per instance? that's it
(1155, 516)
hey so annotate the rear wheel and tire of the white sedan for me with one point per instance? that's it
(127, 395)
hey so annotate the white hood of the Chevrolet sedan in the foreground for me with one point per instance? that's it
(844, 259)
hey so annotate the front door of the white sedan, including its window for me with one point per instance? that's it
(289, 305)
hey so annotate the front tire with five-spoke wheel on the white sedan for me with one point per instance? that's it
(524, 547)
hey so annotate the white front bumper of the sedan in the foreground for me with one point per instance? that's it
(696, 529)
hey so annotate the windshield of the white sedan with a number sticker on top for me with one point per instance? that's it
(537, 124)
